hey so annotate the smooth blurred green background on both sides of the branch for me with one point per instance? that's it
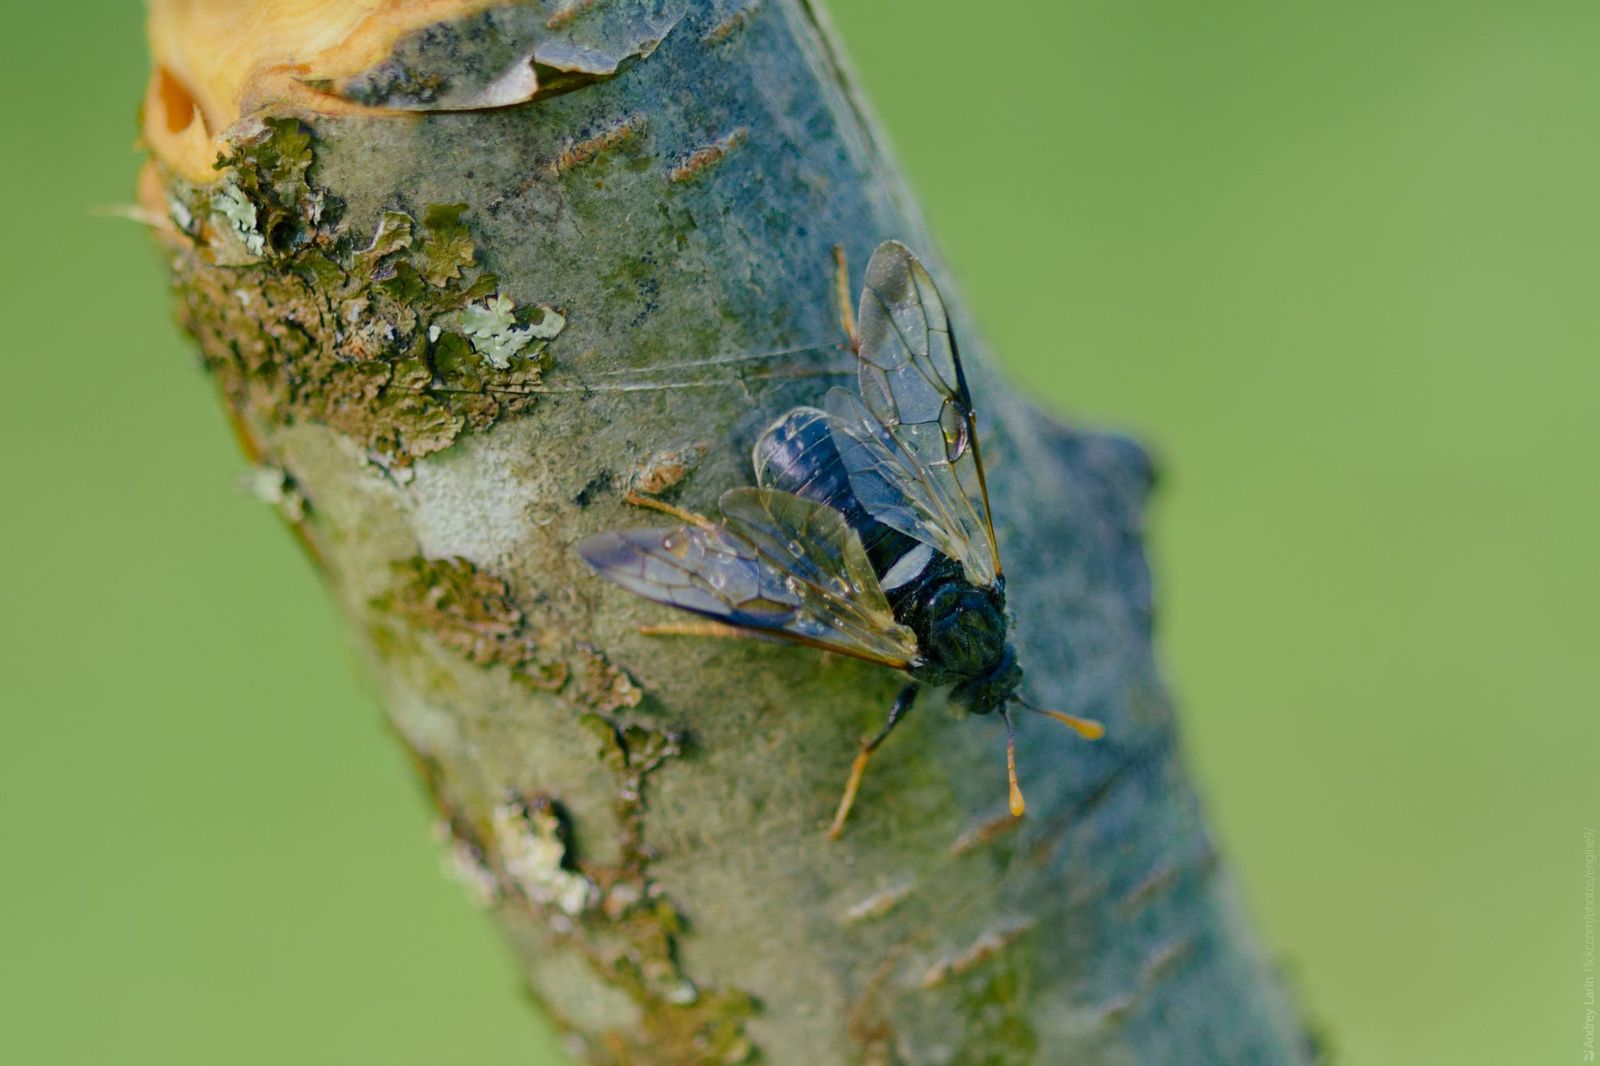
(1337, 263)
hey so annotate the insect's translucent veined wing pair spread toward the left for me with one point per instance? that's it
(777, 566)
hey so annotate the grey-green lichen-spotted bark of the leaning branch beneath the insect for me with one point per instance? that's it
(455, 339)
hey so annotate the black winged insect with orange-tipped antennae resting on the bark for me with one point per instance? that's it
(870, 531)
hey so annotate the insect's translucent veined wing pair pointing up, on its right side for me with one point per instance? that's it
(911, 439)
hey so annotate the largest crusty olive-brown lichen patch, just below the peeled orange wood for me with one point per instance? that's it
(306, 319)
